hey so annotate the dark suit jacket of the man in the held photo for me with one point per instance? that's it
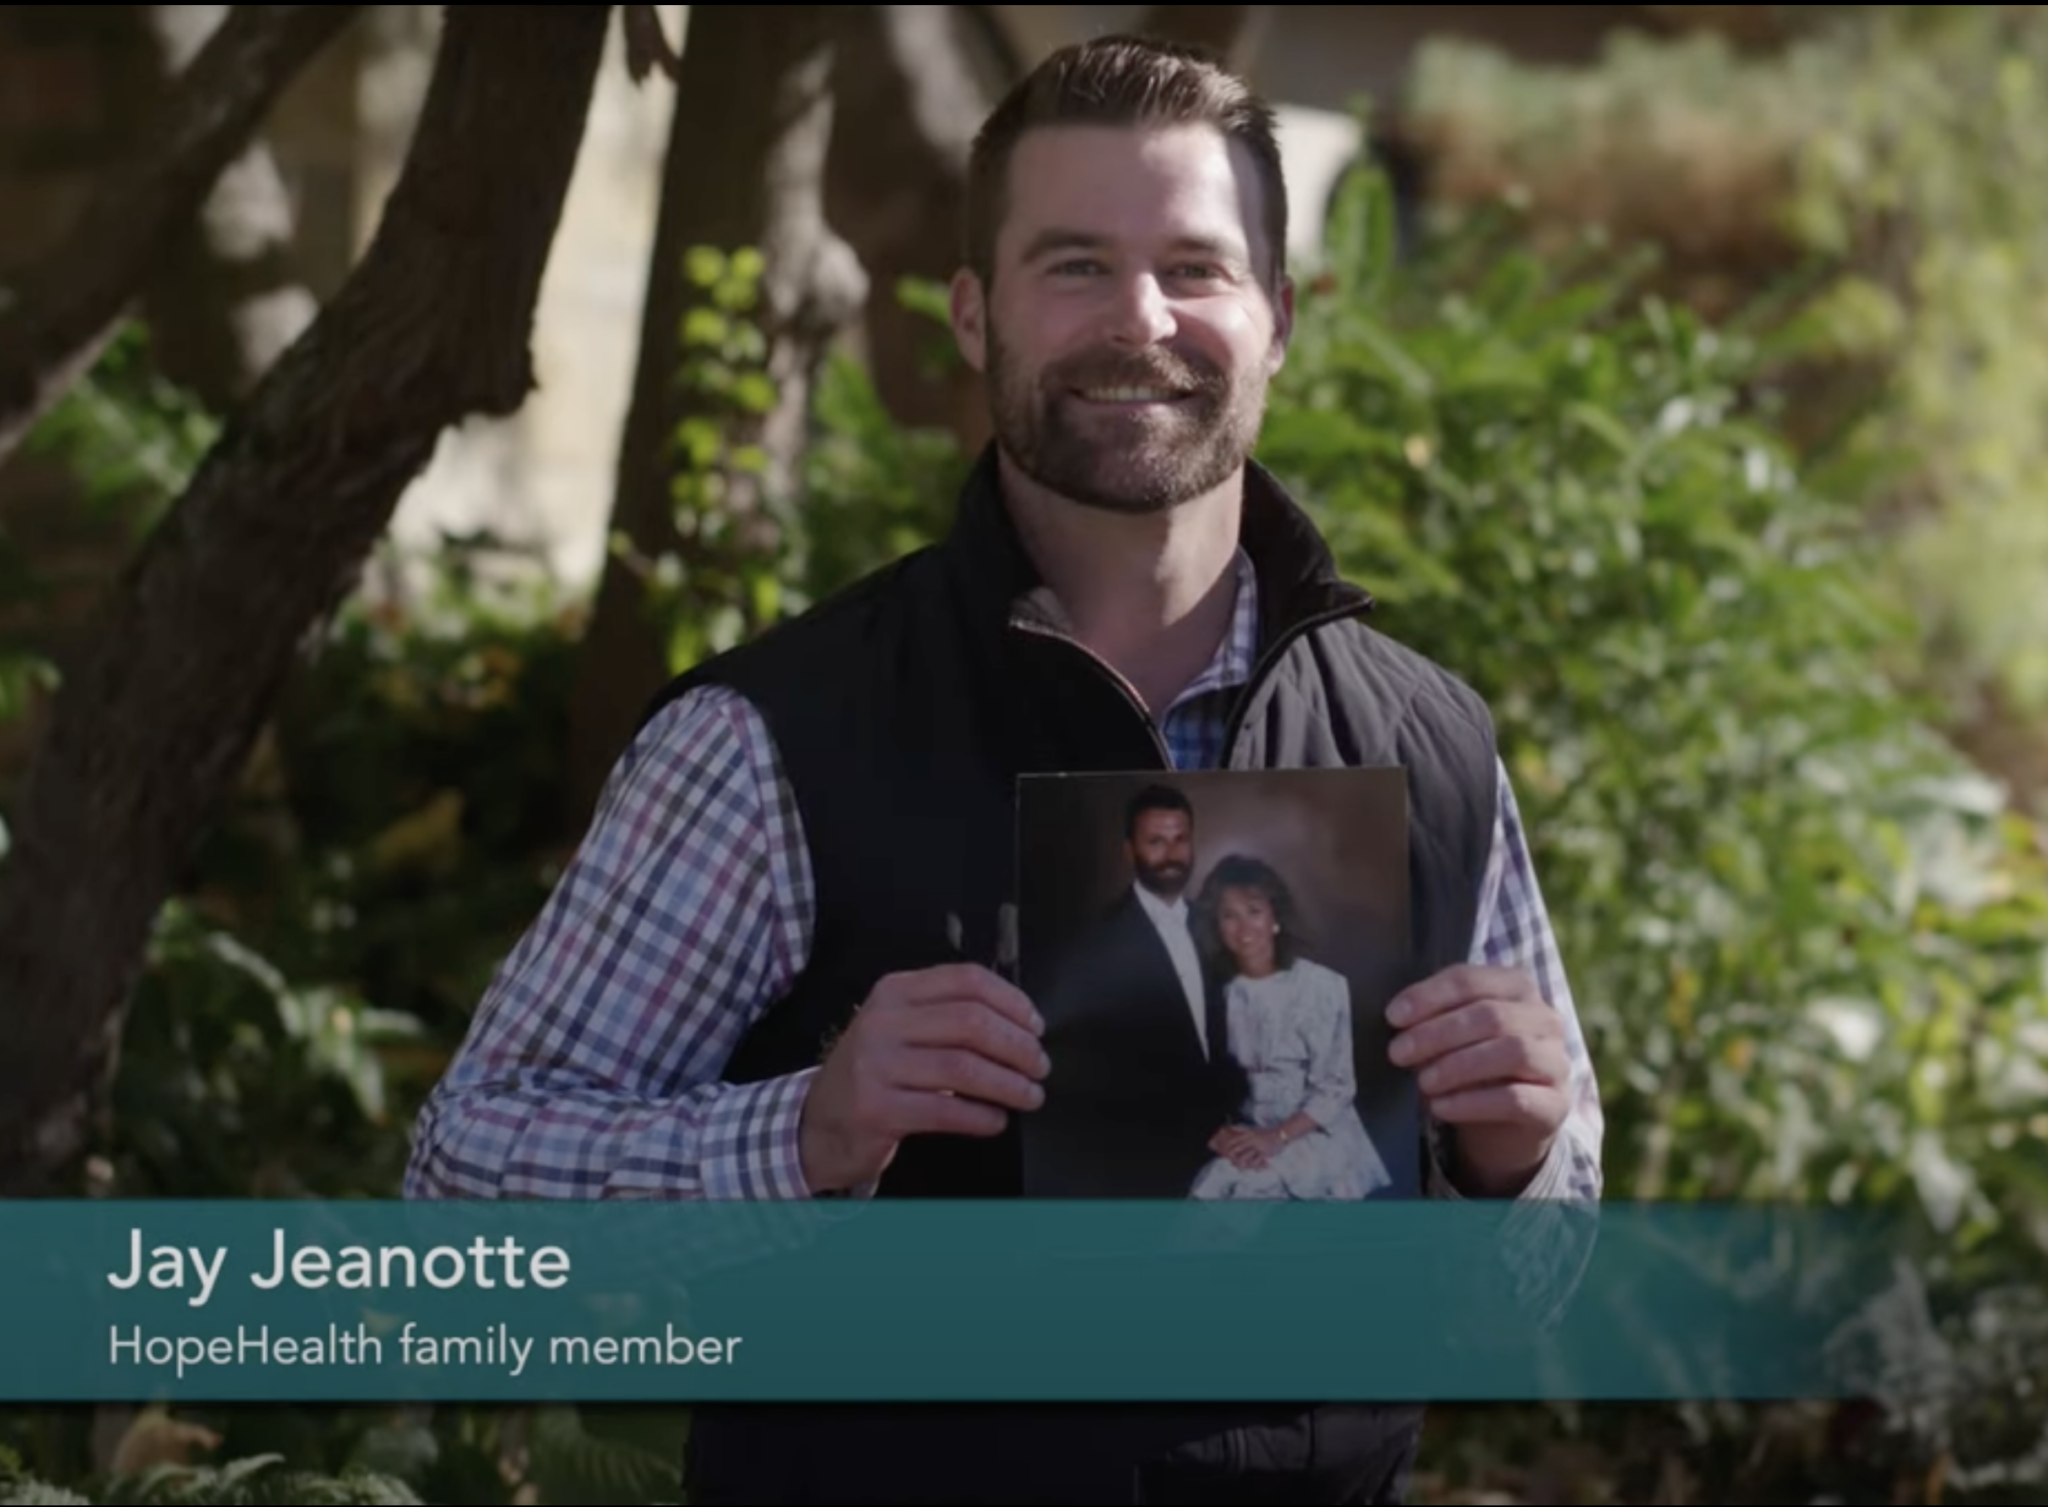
(1134, 1096)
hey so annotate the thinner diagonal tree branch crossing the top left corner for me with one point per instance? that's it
(71, 306)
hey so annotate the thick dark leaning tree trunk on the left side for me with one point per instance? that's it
(157, 720)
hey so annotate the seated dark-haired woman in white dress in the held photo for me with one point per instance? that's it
(1291, 1033)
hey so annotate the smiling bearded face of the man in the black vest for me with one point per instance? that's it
(1132, 329)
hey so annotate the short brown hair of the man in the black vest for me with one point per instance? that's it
(1121, 81)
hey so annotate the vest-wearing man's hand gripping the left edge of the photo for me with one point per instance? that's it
(939, 1051)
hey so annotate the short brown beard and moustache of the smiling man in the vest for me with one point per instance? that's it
(1138, 464)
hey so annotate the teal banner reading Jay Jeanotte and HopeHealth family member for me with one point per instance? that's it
(927, 1301)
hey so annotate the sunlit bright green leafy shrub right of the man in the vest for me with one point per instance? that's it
(1809, 945)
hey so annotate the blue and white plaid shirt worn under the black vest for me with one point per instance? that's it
(593, 1064)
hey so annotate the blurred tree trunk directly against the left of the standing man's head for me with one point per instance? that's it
(898, 191)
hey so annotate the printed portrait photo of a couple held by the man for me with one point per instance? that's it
(1211, 957)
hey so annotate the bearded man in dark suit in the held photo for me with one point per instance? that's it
(1136, 1023)
